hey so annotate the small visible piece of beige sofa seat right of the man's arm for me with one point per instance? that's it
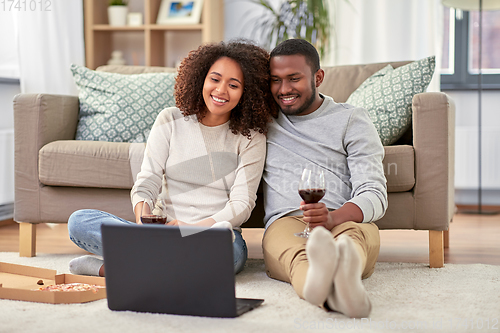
(399, 168)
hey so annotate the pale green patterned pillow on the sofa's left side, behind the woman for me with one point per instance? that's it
(120, 107)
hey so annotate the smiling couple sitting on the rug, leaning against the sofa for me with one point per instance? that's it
(234, 102)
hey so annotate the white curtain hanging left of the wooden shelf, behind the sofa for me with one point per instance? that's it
(48, 43)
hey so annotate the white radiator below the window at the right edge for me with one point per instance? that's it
(466, 158)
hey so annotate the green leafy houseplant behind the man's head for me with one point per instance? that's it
(306, 19)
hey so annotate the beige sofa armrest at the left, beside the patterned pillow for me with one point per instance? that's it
(38, 120)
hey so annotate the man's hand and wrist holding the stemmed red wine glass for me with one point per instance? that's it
(318, 215)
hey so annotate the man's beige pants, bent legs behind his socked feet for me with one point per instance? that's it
(285, 254)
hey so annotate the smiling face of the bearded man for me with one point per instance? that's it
(293, 85)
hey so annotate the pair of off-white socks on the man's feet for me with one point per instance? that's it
(334, 274)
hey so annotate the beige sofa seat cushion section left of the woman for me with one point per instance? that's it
(90, 163)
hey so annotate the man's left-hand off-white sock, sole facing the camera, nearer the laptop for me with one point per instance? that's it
(322, 255)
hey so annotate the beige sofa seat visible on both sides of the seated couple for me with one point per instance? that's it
(116, 165)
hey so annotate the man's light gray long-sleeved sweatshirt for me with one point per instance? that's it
(338, 138)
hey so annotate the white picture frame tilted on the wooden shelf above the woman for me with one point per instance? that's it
(179, 12)
